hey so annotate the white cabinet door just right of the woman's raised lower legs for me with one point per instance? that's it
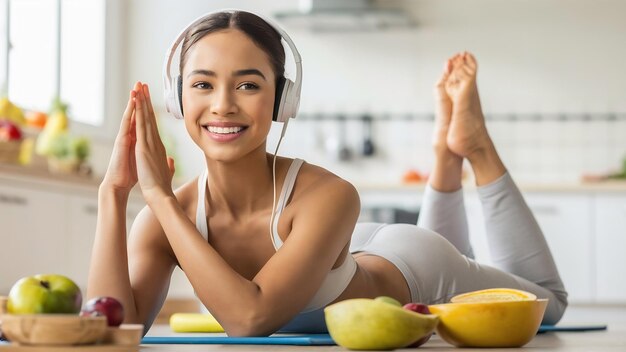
(567, 224)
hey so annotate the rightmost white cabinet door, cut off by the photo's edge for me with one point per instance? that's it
(610, 248)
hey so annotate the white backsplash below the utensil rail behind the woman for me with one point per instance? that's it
(535, 148)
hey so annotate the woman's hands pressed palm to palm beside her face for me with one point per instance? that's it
(138, 153)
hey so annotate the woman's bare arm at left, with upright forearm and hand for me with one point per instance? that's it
(109, 268)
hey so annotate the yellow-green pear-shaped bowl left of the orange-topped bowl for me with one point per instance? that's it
(370, 324)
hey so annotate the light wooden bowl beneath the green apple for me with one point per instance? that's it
(53, 329)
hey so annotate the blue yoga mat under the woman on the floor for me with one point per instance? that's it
(308, 340)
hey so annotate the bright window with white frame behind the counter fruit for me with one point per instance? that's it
(34, 73)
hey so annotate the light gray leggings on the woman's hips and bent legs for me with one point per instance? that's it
(436, 257)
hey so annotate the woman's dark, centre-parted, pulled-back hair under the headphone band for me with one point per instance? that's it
(261, 33)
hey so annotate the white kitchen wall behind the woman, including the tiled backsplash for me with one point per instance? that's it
(546, 57)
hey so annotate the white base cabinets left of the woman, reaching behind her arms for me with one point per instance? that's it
(49, 228)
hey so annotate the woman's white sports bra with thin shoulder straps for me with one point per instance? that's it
(337, 279)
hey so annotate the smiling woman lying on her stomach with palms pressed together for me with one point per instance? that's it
(215, 227)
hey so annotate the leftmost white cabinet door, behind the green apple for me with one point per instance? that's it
(33, 228)
